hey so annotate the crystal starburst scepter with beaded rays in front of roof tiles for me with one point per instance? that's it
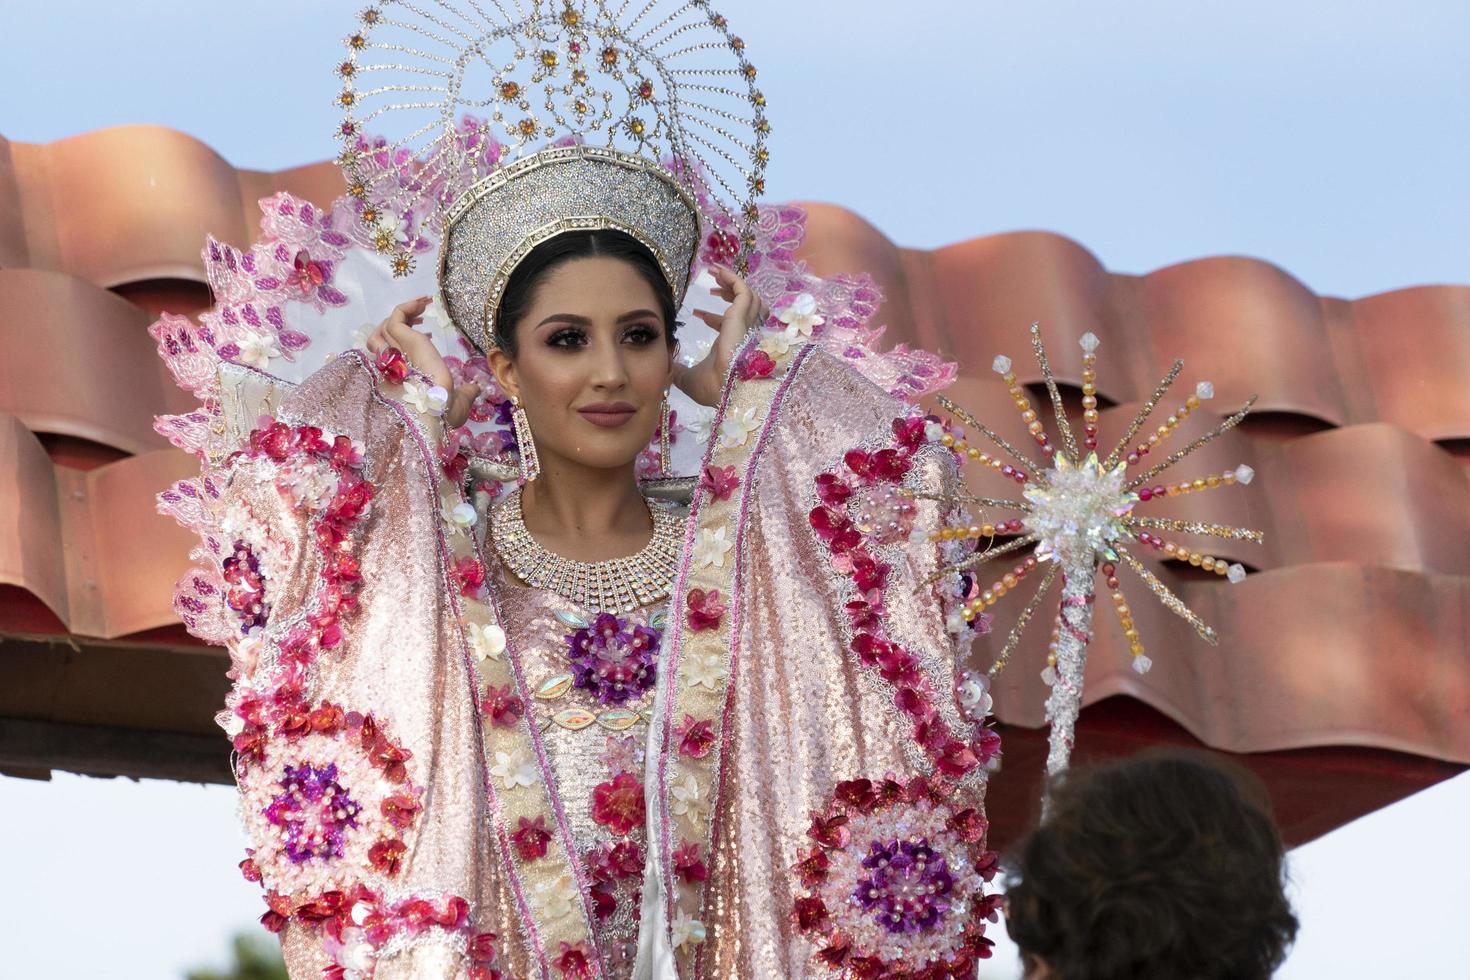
(1080, 519)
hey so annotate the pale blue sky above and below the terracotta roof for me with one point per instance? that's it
(1330, 139)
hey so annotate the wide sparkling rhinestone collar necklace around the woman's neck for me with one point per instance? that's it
(617, 586)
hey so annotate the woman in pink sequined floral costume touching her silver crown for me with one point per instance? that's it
(578, 732)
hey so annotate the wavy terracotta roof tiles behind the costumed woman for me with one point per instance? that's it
(1355, 634)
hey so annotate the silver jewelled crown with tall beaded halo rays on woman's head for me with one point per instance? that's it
(527, 118)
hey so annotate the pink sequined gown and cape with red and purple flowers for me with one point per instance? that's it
(436, 781)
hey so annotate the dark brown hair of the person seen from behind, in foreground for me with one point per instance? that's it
(1164, 866)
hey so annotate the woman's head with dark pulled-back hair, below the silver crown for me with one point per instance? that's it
(586, 340)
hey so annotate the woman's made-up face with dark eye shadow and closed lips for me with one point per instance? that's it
(592, 364)
